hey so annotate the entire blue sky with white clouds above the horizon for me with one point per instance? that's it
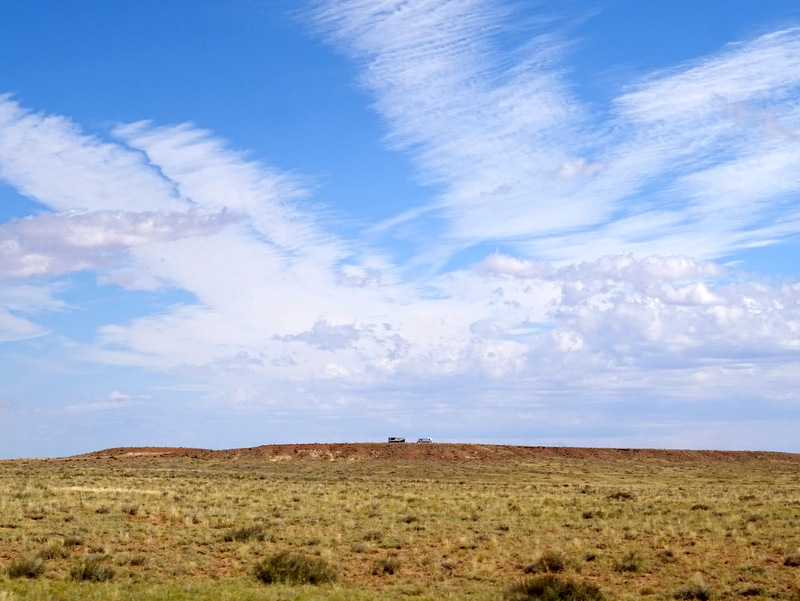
(270, 221)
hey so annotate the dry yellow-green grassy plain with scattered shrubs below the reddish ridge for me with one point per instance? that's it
(152, 528)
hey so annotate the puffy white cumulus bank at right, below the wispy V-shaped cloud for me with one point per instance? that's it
(625, 312)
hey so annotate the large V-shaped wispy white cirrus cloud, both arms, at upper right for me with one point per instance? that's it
(524, 162)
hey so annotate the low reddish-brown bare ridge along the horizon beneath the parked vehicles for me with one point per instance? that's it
(435, 452)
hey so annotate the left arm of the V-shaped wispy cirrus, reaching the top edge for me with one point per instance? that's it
(488, 126)
